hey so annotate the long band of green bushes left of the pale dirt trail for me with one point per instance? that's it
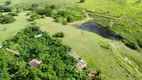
(62, 15)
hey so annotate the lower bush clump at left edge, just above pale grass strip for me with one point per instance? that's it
(6, 19)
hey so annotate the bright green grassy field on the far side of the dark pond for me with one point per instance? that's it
(123, 16)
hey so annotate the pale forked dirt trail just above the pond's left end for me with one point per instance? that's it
(88, 18)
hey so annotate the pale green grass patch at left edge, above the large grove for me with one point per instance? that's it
(14, 27)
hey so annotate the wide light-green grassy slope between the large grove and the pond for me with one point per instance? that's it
(110, 61)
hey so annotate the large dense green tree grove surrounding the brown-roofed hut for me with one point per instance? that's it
(56, 63)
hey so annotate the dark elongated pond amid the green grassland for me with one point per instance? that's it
(95, 28)
